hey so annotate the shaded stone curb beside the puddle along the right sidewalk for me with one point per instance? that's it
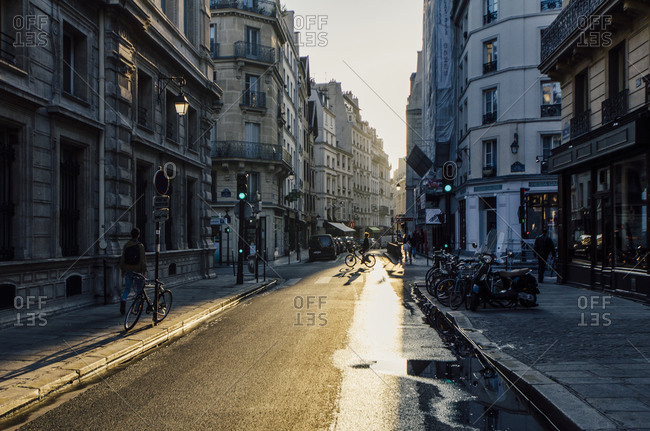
(568, 411)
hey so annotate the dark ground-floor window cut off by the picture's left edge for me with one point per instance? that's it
(8, 143)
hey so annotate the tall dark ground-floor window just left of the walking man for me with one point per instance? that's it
(69, 207)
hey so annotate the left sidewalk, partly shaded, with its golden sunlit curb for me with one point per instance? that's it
(46, 353)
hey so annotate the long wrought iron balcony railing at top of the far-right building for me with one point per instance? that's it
(567, 22)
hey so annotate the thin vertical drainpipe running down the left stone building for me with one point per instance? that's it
(102, 136)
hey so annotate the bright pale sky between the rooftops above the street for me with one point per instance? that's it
(379, 41)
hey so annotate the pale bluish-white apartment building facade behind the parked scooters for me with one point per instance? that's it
(508, 120)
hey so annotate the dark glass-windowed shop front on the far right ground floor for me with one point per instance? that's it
(603, 222)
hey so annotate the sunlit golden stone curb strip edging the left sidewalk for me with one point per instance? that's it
(91, 364)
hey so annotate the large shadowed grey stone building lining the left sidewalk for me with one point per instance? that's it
(87, 118)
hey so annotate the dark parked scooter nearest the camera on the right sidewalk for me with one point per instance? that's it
(510, 287)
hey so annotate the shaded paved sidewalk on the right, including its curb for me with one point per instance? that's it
(582, 356)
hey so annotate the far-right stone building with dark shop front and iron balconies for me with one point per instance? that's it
(599, 53)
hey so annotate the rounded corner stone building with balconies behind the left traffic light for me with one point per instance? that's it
(262, 128)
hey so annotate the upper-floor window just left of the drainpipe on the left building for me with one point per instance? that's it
(75, 63)
